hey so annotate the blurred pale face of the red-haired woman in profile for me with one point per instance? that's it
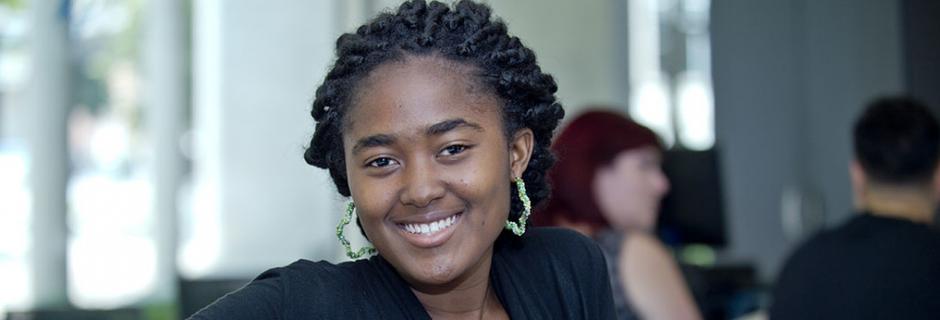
(629, 190)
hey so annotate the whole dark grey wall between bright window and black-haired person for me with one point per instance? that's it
(790, 78)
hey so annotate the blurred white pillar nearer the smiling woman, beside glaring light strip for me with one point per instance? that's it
(165, 99)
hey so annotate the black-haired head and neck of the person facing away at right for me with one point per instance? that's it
(896, 152)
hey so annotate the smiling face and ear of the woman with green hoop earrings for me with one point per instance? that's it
(430, 168)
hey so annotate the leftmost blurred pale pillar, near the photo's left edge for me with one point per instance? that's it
(49, 93)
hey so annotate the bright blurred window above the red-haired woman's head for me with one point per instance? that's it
(670, 70)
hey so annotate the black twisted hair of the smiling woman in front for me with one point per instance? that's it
(467, 34)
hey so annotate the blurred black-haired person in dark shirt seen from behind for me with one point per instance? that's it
(884, 262)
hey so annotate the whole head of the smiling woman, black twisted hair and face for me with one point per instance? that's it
(426, 118)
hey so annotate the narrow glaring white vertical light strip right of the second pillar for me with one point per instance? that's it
(200, 218)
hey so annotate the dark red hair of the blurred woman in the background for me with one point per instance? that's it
(591, 141)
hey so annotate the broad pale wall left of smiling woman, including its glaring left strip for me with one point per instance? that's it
(256, 71)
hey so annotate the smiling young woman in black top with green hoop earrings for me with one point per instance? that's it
(437, 124)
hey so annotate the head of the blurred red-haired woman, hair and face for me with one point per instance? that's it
(608, 175)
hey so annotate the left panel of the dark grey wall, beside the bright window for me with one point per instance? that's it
(758, 106)
